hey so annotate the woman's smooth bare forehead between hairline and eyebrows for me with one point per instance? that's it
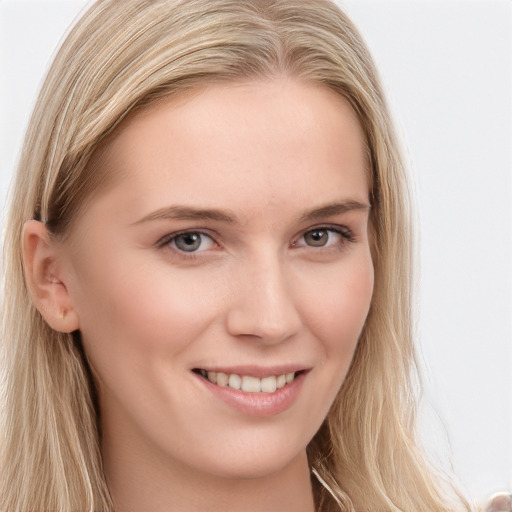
(279, 139)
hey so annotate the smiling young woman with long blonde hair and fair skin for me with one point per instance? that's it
(208, 265)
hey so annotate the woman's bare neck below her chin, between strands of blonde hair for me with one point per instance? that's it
(139, 482)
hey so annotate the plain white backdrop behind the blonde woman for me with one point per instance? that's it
(447, 69)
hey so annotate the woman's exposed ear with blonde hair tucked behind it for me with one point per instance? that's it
(43, 265)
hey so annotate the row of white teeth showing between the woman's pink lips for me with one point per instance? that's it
(248, 383)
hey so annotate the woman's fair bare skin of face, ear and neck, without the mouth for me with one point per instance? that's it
(255, 292)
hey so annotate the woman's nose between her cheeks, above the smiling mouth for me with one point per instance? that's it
(263, 305)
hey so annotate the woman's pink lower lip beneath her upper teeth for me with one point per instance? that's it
(258, 404)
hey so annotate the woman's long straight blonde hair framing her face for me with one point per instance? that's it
(120, 57)
